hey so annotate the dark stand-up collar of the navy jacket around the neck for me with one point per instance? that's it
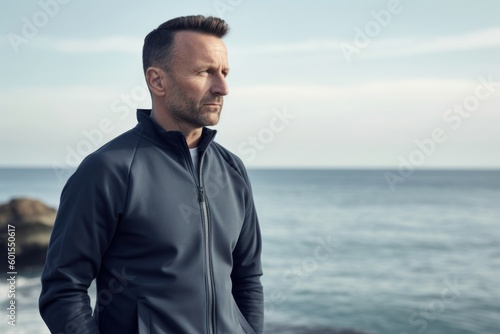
(171, 139)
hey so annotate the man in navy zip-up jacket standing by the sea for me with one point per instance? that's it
(162, 216)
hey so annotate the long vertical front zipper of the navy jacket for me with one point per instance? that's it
(208, 249)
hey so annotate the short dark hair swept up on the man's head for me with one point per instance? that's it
(158, 44)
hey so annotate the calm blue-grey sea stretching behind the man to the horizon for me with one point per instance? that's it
(349, 251)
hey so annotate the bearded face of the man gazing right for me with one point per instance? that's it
(196, 79)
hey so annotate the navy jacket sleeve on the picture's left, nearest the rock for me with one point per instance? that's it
(89, 210)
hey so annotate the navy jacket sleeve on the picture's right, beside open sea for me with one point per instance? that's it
(247, 268)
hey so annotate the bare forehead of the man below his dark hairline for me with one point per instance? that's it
(194, 47)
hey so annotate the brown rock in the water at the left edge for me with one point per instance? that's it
(33, 222)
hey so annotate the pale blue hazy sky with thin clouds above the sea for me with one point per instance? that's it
(313, 84)
